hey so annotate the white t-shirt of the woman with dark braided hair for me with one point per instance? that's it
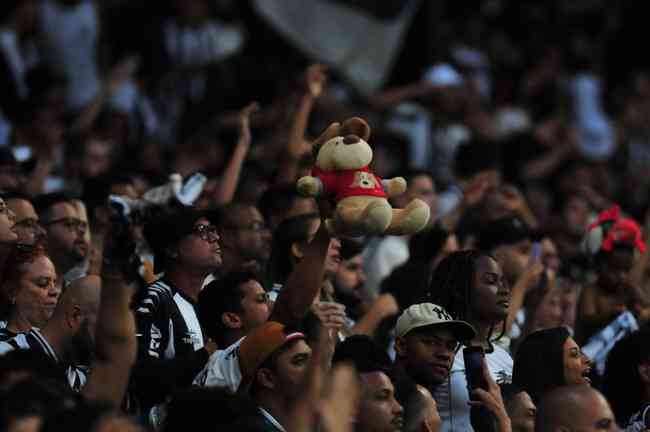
(452, 396)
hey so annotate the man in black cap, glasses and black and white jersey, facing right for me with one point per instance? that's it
(172, 347)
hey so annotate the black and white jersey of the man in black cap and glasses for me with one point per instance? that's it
(170, 343)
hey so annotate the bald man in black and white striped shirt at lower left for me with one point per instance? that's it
(68, 337)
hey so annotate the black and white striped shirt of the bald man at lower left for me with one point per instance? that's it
(76, 376)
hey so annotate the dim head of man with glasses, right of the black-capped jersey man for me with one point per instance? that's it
(245, 238)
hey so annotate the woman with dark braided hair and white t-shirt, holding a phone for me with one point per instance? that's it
(470, 285)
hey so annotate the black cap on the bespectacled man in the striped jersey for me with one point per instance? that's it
(166, 230)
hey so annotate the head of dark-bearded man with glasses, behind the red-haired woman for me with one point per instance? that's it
(66, 240)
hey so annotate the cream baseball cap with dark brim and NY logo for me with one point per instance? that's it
(429, 314)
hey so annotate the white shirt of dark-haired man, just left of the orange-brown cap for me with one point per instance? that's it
(222, 369)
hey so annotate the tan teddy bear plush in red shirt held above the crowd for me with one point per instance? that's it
(341, 171)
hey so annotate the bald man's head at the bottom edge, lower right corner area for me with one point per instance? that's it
(575, 408)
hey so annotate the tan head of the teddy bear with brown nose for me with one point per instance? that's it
(344, 146)
